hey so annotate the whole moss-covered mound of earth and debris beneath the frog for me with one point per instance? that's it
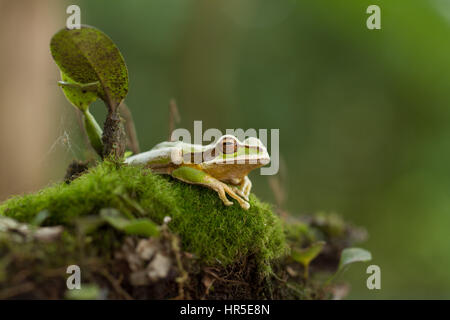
(207, 250)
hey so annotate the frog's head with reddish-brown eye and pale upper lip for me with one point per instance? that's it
(230, 158)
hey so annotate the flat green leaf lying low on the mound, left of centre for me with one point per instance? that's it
(140, 227)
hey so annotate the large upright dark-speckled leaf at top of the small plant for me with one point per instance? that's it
(87, 56)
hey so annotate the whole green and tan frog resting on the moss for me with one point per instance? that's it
(222, 166)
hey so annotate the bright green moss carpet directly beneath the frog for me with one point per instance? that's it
(207, 228)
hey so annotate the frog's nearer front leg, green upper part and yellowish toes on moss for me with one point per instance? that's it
(195, 176)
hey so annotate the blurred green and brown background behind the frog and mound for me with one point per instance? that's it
(364, 116)
